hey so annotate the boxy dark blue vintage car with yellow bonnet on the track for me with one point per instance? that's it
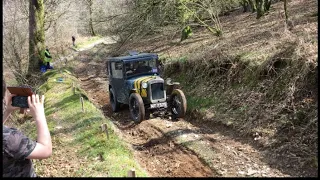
(135, 80)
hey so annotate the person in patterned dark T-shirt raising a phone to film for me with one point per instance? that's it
(18, 149)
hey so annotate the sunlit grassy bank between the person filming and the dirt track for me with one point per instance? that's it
(87, 143)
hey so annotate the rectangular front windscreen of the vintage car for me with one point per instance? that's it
(141, 67)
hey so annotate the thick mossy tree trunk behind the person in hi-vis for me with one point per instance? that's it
(36, 35)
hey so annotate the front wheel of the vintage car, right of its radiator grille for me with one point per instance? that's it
(178, 104)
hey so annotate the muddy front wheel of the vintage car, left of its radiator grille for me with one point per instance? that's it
(136, 108)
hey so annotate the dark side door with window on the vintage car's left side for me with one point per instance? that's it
(117, 79)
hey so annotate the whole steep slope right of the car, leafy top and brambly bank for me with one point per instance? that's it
(260, 79)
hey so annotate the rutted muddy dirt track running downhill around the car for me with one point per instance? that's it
(181, 148)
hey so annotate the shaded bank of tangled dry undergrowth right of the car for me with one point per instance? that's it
(276, 99)
